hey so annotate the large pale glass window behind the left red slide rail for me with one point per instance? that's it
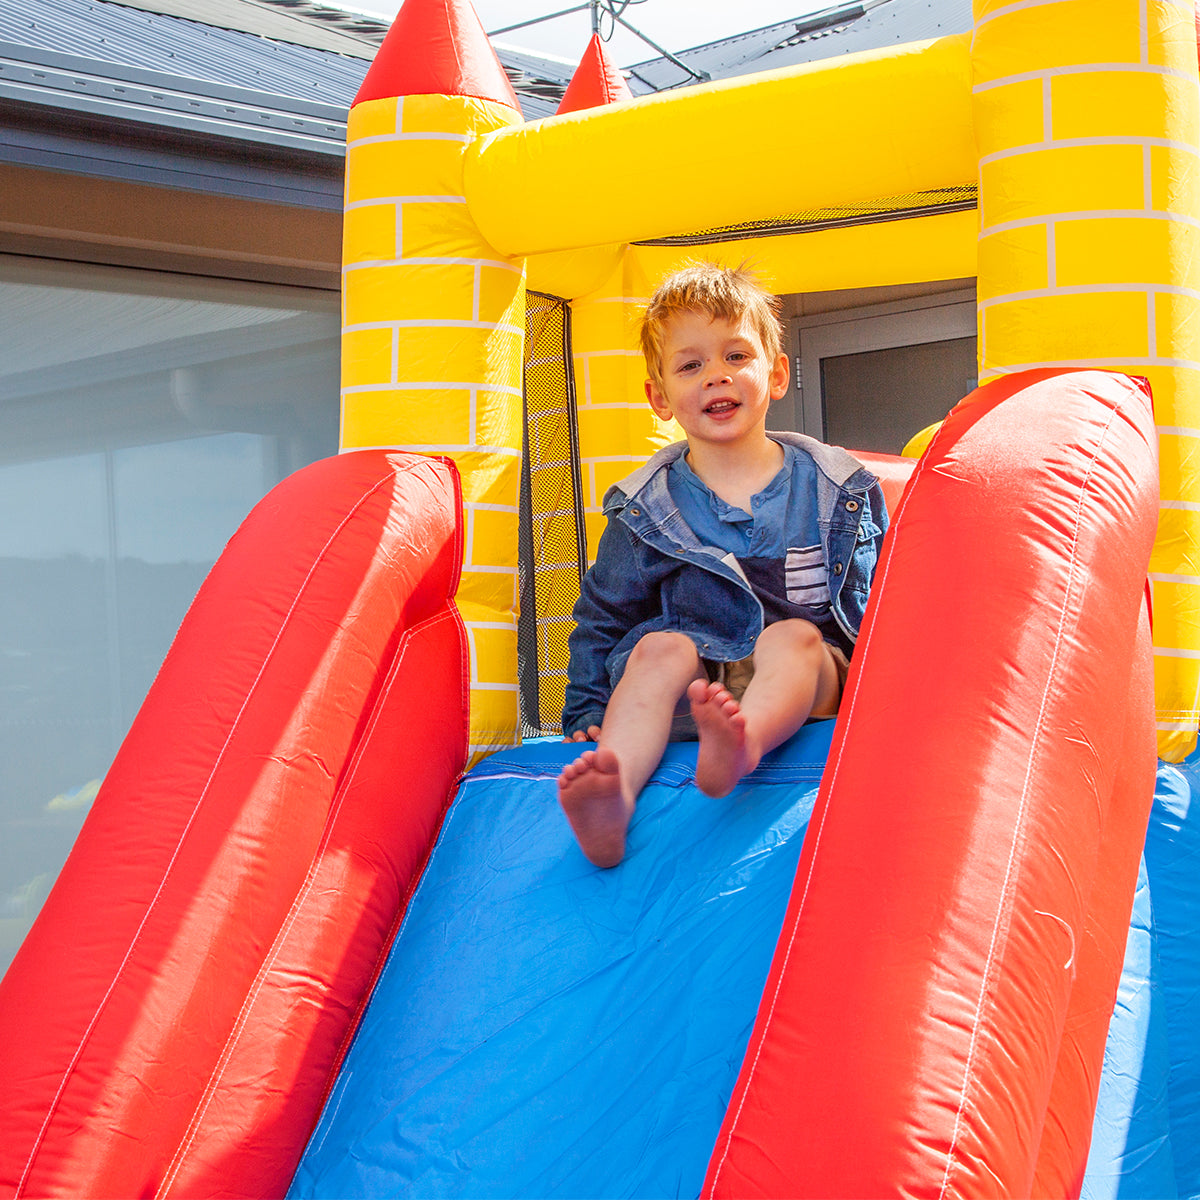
(142, 416)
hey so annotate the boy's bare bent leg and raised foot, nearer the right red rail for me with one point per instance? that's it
(795, 677)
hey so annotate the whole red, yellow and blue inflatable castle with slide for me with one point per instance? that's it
(326, 932)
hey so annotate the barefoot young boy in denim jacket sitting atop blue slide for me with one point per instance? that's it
(733, 575)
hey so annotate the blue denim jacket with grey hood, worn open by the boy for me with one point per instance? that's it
(652, 573)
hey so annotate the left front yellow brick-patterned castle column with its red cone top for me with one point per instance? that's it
(434, 317)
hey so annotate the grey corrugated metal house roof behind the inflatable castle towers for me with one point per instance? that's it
(250, 98)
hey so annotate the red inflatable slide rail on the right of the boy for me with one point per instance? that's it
(934, 1021)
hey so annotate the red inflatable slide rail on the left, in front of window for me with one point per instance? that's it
(237, 884)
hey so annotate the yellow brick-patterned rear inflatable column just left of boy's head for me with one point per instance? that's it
(617, 429)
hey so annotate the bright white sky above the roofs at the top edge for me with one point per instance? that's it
(675, 25)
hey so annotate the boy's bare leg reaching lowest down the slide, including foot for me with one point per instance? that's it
(601, 789)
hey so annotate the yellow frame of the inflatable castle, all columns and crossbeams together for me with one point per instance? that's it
(1076, 119)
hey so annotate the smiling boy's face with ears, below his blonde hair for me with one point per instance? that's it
(717, 380)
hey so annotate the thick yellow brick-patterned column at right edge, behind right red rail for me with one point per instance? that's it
(1087, 119)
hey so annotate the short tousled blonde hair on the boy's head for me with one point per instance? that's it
(727, 293)
